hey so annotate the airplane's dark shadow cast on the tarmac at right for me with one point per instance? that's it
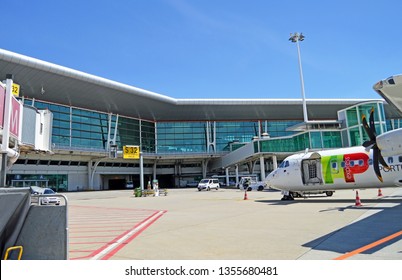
(384, 222)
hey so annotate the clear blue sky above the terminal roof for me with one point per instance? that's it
(215, 48)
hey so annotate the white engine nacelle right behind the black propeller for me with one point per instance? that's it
(390, 143)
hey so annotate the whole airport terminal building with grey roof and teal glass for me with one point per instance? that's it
(91, 119)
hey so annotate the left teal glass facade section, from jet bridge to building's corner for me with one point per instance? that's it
(83, 129)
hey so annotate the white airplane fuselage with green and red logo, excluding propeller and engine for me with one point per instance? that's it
(347, 168)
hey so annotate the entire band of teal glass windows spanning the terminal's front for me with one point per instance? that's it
(84, 129)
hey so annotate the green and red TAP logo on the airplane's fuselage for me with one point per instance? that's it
(344, 166)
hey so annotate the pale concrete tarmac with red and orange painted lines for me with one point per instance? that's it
(229, 224)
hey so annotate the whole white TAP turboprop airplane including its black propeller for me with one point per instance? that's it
(375, 164)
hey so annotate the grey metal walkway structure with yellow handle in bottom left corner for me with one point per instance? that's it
(38, 232)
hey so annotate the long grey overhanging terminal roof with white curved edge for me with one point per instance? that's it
(57, 84)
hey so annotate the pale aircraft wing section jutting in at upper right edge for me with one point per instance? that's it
(391, 90)
